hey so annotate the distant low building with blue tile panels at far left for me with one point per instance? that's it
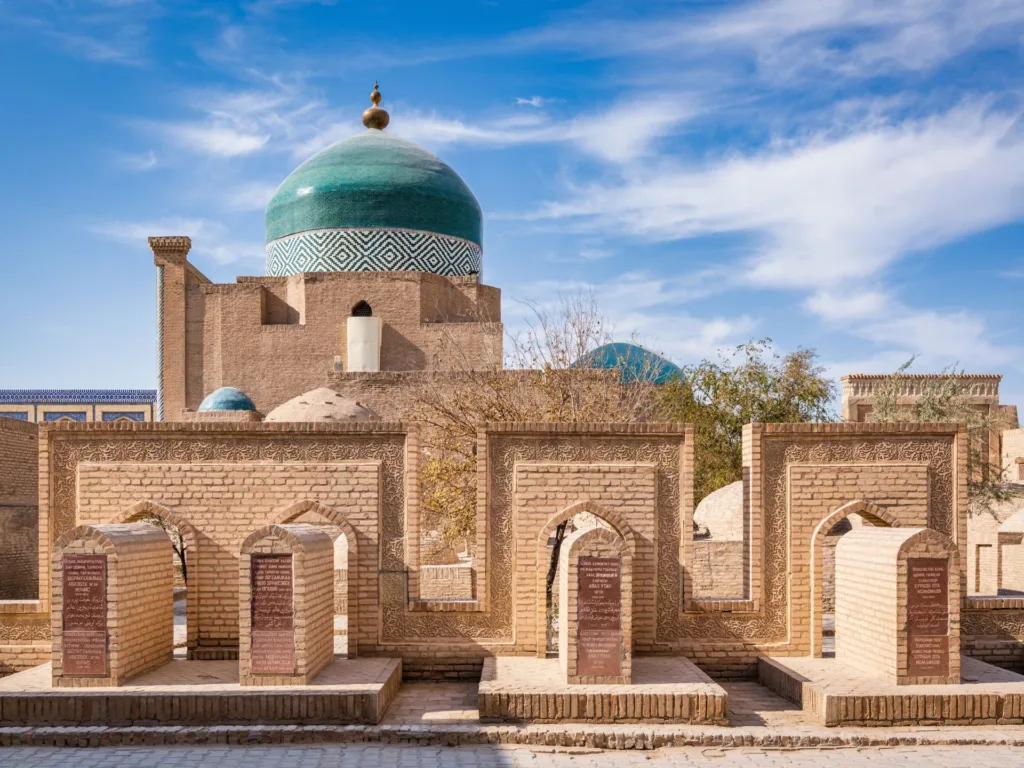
(48, 406)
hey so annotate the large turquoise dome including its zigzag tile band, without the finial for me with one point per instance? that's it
(374, 203)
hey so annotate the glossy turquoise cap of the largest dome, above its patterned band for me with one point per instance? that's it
(374, 181)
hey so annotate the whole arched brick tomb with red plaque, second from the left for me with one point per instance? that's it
(286, 606)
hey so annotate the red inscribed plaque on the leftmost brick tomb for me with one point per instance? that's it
(84, 615)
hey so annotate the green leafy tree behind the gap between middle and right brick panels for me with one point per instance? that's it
(753, 385)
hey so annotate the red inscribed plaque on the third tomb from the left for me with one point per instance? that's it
(600, 634)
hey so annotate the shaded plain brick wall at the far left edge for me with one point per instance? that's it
(19, 510)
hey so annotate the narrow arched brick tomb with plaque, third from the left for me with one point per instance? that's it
(596, 600)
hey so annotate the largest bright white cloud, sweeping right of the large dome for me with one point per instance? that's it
(826, 210)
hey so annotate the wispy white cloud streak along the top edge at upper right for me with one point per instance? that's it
(792, 38)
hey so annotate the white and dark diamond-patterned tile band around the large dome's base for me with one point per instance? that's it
(372, 251)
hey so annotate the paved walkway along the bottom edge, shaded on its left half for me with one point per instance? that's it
(365, 756)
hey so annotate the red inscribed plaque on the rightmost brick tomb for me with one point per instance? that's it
(928, 617)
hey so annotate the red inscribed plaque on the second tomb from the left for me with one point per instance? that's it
(273, 624)
